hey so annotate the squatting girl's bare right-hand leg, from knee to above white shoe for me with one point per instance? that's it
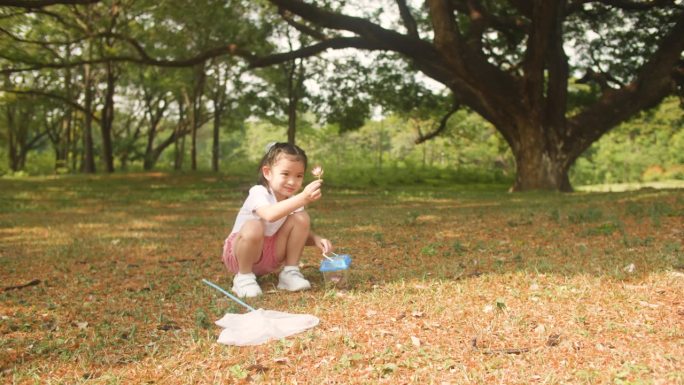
(292, 237)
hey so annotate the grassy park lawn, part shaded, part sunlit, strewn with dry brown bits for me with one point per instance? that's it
(450, 284)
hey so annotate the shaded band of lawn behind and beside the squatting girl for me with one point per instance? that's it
(447, 232)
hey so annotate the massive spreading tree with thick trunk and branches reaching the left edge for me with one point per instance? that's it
(513, 62)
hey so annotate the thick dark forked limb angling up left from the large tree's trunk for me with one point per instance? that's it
(446, 59)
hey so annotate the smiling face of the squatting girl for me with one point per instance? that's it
(285, 176)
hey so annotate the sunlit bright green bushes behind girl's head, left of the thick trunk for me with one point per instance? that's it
(382, 153)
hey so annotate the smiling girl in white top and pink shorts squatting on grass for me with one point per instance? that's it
(272, 227)
